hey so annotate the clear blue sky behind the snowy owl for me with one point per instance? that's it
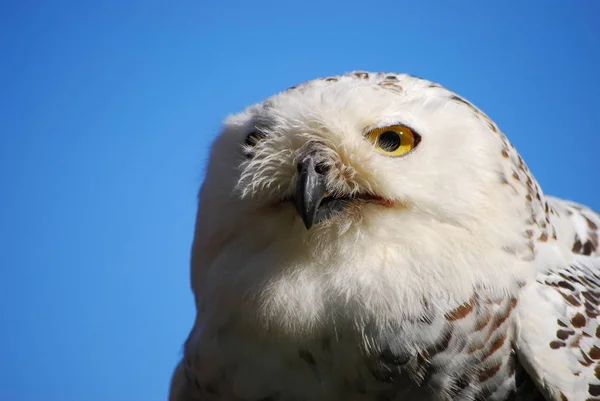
(108, 108)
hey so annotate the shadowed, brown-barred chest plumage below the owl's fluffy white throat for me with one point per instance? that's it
(462, 354)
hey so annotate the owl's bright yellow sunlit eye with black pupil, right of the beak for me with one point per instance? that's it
(394, 140)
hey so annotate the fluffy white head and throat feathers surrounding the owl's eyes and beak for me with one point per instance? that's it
(445, 235)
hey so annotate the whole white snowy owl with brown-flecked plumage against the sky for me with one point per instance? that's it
(375, 236)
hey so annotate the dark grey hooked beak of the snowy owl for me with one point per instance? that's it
(310, 190)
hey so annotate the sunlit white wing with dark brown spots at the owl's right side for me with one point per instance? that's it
(557, 332)
